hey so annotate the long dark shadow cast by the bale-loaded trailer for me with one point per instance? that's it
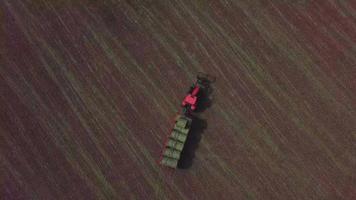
(192, 143)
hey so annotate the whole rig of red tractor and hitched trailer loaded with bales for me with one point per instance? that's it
(182, 124)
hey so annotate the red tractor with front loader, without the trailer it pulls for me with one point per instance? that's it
(191, 101)
